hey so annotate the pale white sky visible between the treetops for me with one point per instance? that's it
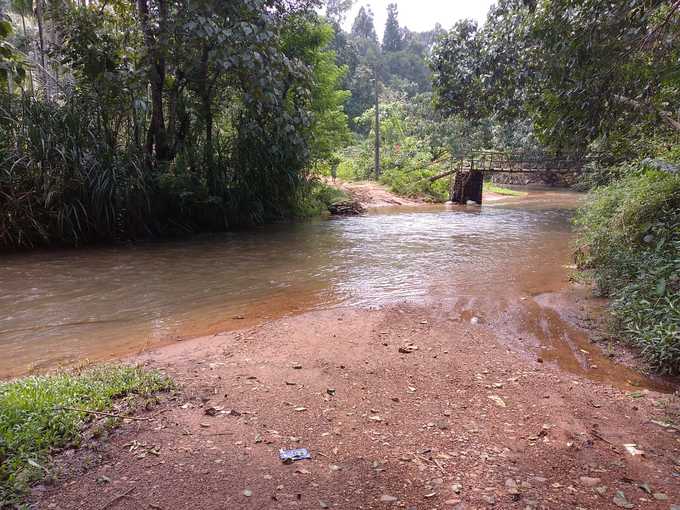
(421, 15)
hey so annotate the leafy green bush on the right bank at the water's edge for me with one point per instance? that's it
(629, 236)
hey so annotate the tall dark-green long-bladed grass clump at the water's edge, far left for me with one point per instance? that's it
(60, 182)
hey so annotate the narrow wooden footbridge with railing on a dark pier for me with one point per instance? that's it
(467, 172)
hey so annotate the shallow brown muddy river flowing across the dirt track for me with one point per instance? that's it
(65, 307)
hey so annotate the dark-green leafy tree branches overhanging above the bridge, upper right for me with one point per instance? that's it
(552, 61)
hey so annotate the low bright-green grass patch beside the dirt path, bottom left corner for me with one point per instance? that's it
(33, 423)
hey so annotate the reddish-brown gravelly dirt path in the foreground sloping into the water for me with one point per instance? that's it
(470, 419)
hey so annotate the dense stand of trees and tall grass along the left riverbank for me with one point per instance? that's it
(174, 118)
